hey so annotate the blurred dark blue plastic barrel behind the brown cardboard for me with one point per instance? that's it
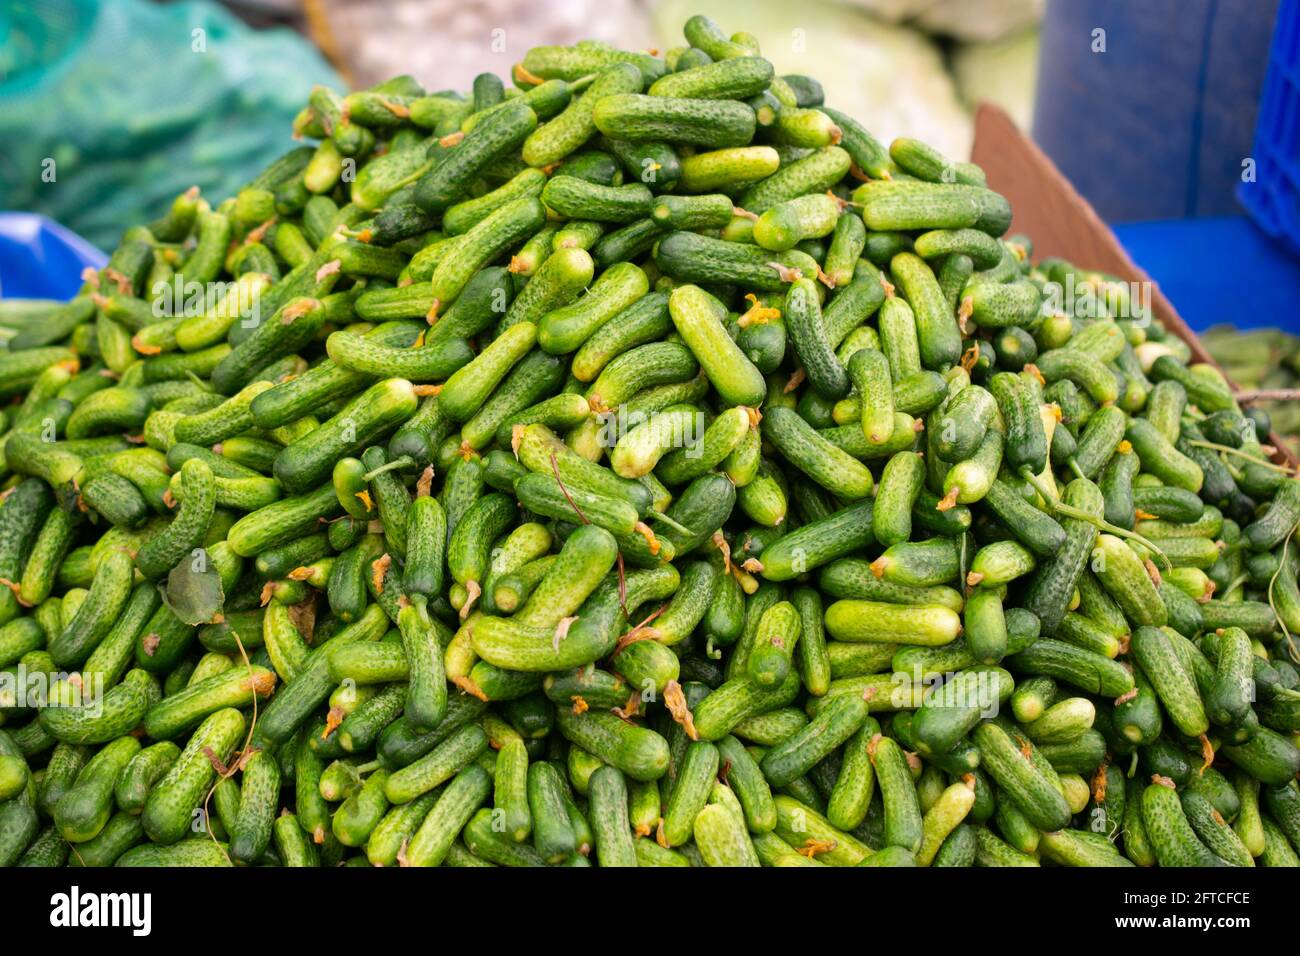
(1156, 127)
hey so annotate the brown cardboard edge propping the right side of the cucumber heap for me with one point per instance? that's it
(1061, 223)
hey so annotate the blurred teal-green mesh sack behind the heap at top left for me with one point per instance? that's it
(133, 103)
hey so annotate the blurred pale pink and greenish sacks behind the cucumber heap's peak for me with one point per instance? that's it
(913, 68)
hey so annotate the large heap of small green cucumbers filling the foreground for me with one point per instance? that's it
(640, 466)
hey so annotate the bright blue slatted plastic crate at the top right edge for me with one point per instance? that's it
(1273, 200)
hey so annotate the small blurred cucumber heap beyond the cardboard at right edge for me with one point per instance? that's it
(1263, 361)
